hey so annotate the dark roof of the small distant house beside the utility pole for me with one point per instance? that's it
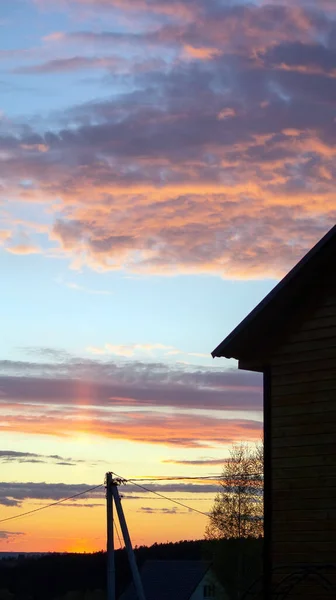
(169, 579)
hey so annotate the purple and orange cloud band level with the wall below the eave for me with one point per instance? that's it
(138, 401)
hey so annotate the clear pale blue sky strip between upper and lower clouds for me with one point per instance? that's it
(42, 296)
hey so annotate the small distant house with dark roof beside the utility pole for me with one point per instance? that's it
(178, 580)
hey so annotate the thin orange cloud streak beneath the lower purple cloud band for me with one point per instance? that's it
(142, 427)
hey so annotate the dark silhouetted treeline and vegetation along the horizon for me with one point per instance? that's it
(83, 576)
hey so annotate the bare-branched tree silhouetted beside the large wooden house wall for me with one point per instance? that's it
(238, 507)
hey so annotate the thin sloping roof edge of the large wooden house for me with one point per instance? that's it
(218, 351)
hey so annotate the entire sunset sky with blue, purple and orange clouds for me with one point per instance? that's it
(163, 163)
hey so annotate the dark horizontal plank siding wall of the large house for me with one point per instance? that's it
(303, 426)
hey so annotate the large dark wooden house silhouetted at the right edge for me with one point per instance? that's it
(290, 337)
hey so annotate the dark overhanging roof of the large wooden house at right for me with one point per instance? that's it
(251, 340)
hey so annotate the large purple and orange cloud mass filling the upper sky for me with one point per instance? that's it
(216, 154)
